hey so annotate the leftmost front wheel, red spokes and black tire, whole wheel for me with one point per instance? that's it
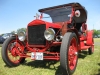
(10, 50)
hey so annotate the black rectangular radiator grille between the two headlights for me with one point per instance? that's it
(36, 34)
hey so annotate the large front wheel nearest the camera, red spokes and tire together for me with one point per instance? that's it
(69, 53)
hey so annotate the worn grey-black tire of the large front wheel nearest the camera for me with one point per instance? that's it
(64, 51)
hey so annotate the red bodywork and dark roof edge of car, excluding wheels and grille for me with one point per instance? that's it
(84, 40)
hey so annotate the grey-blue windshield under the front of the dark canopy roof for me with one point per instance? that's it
(60, 14)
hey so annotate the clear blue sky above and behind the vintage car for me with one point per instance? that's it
(15, 14)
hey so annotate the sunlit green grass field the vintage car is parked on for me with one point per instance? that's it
(87, 65)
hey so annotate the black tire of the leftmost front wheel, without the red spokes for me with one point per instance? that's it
(5, 56)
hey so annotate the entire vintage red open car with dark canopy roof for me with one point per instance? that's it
(60, 40)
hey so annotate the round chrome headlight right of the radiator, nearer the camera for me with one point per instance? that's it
(49, 34)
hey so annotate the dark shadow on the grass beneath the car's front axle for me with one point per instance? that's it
(45, 64)
